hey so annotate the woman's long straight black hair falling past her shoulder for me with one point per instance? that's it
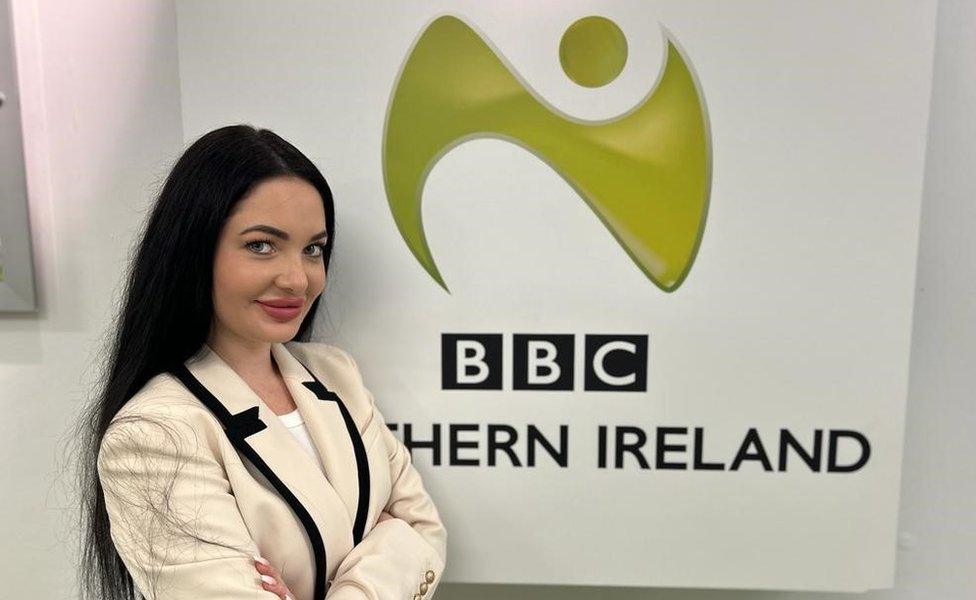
(166, 311)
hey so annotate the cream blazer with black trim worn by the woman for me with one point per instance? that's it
(198, 474)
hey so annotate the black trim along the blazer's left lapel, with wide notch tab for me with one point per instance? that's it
(238, 427)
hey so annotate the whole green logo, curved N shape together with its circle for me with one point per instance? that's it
(645, 174)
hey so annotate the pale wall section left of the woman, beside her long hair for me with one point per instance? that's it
(101, 105)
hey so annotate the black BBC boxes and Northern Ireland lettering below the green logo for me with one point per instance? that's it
(612, 363)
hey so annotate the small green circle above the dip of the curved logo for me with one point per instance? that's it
(593, 51)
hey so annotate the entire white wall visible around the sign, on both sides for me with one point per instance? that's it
(103, 129)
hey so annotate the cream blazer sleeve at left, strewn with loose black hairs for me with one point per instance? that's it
(173, 518)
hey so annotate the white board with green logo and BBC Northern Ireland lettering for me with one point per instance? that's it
(632, 281)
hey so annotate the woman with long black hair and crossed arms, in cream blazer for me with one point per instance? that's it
(228, 456)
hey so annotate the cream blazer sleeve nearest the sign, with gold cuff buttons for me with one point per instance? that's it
(398, 555)
